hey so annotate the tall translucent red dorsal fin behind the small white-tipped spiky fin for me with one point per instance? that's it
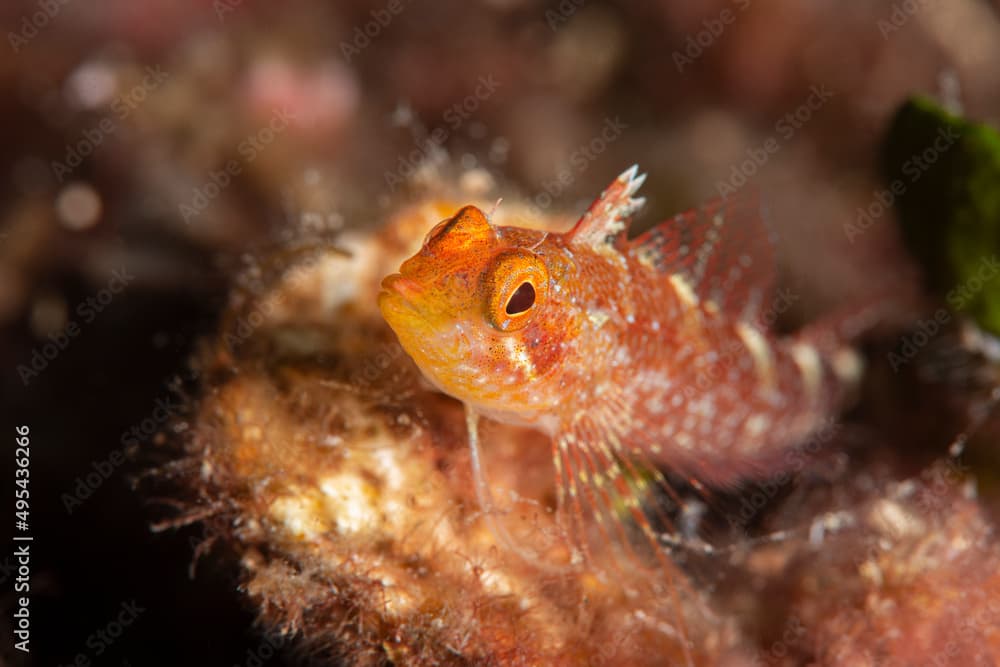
(723, 250)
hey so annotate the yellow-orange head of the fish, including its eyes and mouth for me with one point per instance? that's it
(472, 308)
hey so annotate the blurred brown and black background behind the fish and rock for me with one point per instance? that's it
(150, 148)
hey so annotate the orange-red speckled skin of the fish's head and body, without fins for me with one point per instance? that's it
(615, 348)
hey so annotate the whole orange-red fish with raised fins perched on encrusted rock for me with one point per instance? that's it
(637, 357)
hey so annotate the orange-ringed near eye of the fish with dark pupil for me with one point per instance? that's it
(515, 283)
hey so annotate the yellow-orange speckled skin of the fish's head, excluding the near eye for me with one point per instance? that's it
(437, 303)
